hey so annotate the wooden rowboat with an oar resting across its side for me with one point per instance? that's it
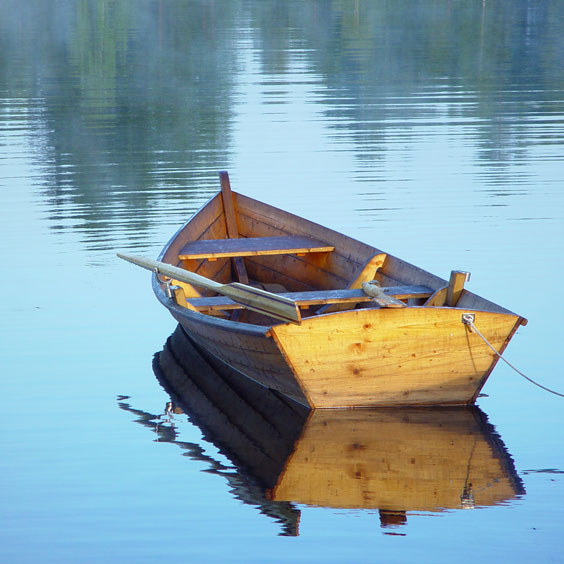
(320, 317)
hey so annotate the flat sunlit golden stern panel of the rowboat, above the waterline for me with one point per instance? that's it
(406, 356)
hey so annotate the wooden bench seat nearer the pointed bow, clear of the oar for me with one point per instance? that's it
(252, 246)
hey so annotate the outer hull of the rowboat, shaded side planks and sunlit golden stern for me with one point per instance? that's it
(362, 358)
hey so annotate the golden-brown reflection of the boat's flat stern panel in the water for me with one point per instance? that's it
(403, 460)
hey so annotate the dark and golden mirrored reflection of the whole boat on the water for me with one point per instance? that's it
(392, 460)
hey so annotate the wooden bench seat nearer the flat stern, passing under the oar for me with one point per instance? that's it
(217, 303)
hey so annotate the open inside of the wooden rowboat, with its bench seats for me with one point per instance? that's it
(234, 238)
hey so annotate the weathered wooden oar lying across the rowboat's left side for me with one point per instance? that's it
(251, 298)
